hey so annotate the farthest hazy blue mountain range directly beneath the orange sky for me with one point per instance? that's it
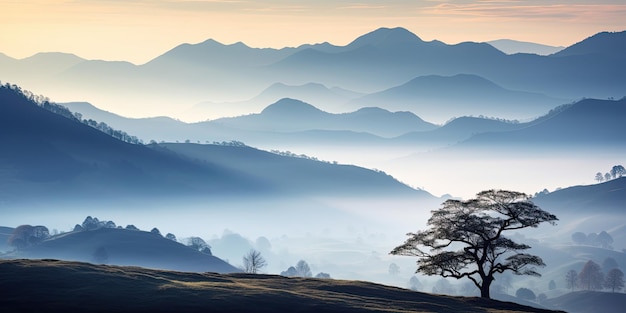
(189, 74)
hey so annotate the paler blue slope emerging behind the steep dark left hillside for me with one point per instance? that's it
(298, 175)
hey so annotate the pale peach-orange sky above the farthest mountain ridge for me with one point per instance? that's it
(139, 30)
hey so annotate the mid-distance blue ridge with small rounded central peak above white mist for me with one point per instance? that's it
(590, 122)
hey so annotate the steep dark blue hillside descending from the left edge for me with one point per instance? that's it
(48, 154)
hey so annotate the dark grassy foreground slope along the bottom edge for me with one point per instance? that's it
(49, 285)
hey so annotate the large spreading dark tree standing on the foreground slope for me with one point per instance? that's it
(475, 227)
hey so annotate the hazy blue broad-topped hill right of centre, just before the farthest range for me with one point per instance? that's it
(442, 97)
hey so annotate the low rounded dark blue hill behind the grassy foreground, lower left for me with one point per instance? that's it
(125, 247)
